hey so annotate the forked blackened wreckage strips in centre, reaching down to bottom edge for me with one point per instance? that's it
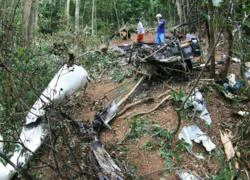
(101, 119)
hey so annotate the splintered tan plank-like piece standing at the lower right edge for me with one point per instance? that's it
(228, 147)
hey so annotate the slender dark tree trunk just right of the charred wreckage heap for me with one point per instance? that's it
(211, 48)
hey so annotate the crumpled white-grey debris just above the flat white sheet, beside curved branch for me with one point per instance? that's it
(199, 105)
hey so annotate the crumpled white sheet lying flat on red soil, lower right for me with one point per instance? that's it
(193, 133)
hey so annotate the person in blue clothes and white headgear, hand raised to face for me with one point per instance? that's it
(160, 30)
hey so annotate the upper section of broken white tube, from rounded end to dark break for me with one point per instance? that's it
(66, 82)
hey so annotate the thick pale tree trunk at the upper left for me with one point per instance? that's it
(29, 22)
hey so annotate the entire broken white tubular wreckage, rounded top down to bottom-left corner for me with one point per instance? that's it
(66, 82)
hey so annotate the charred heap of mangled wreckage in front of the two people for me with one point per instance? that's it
(174, 56)
